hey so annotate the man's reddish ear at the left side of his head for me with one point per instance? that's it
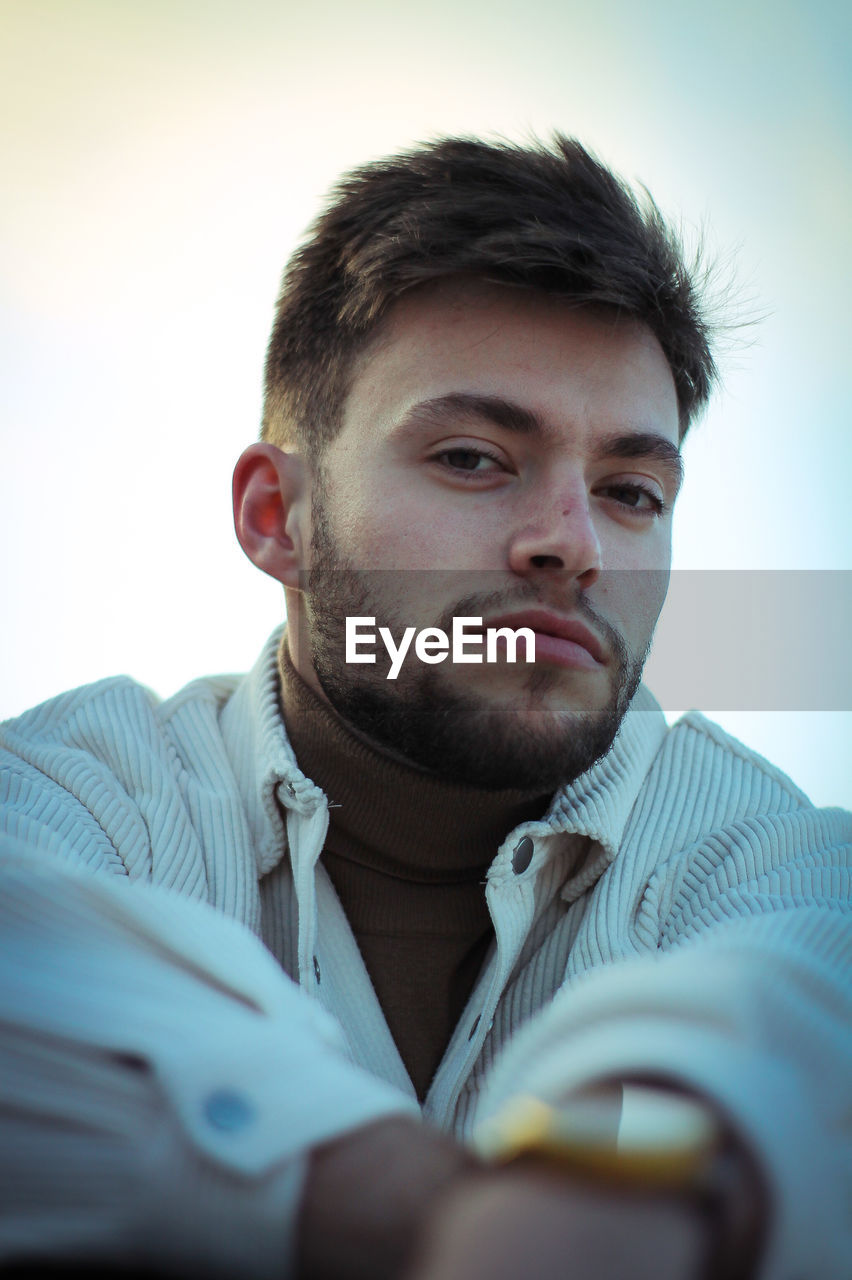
(272, 511)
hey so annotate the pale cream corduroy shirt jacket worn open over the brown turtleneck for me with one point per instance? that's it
(185, 1012)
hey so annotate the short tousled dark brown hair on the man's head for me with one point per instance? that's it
(548, 218)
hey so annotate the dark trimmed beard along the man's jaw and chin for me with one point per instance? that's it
(420, 717)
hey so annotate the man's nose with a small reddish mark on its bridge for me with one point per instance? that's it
(561, 536)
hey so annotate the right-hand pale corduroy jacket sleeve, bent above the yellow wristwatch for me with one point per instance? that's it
(746, 999)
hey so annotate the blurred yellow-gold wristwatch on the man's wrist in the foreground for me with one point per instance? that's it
(647, 1140)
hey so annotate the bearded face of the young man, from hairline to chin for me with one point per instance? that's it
(507, 458)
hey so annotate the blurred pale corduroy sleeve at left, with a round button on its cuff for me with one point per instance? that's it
(161, 1078)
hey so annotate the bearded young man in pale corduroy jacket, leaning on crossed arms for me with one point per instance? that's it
(265, 927)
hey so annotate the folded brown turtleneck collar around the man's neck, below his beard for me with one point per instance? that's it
(390, 815)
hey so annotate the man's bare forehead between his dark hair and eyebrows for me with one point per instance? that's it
(583, 372)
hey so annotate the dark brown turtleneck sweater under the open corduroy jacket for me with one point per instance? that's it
(407, 854)
